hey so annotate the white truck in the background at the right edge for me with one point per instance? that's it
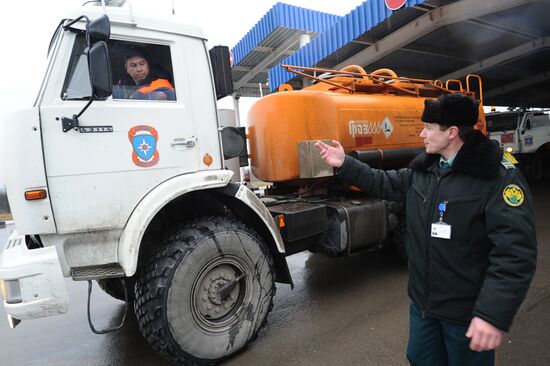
(526, 134)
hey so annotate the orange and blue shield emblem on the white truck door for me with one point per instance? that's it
(144, 142)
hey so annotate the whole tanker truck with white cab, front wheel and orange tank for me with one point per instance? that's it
(144, 195)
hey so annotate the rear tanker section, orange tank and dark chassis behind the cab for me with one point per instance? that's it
(376, 118)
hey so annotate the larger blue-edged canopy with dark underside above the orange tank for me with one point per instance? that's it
(506, 42)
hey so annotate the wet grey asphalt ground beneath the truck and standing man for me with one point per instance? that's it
(350, 311)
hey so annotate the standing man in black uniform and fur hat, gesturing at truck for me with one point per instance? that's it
(470, 240)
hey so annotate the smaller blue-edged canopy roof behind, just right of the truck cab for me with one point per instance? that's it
(277, 35)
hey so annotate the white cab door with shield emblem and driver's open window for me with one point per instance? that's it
(125, 146)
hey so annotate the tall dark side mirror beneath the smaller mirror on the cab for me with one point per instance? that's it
(100, 70)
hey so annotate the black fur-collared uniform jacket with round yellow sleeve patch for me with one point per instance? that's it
(485, 268)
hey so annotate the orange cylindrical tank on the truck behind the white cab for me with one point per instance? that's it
(361, 111)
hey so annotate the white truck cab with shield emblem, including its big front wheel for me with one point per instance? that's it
(135, 193)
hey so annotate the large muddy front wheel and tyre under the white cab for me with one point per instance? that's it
(178, 305)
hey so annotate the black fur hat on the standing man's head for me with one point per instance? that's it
(451, 110)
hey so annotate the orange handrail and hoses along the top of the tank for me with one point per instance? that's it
(376, 77)
